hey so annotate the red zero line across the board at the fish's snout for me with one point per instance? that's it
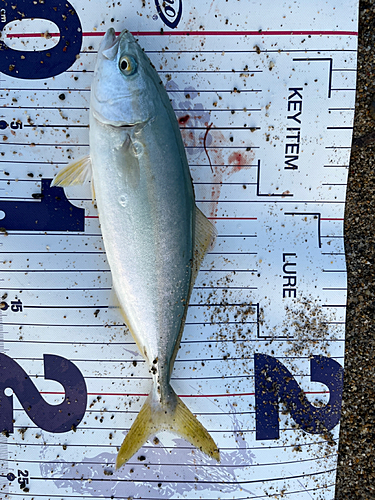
(198, 33)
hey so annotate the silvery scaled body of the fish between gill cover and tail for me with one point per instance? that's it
(147, 227)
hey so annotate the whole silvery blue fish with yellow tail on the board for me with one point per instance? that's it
(154, 235)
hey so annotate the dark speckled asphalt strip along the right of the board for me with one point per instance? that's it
(356, 462)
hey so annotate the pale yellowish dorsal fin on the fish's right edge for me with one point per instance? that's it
(204, 237)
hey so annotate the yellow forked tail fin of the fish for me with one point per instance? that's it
(175, 417)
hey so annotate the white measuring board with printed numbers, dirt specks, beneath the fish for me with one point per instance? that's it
(265, 97)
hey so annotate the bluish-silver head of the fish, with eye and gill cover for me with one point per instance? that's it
(123, 87)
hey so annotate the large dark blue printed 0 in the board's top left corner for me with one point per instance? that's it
(44, 63)
